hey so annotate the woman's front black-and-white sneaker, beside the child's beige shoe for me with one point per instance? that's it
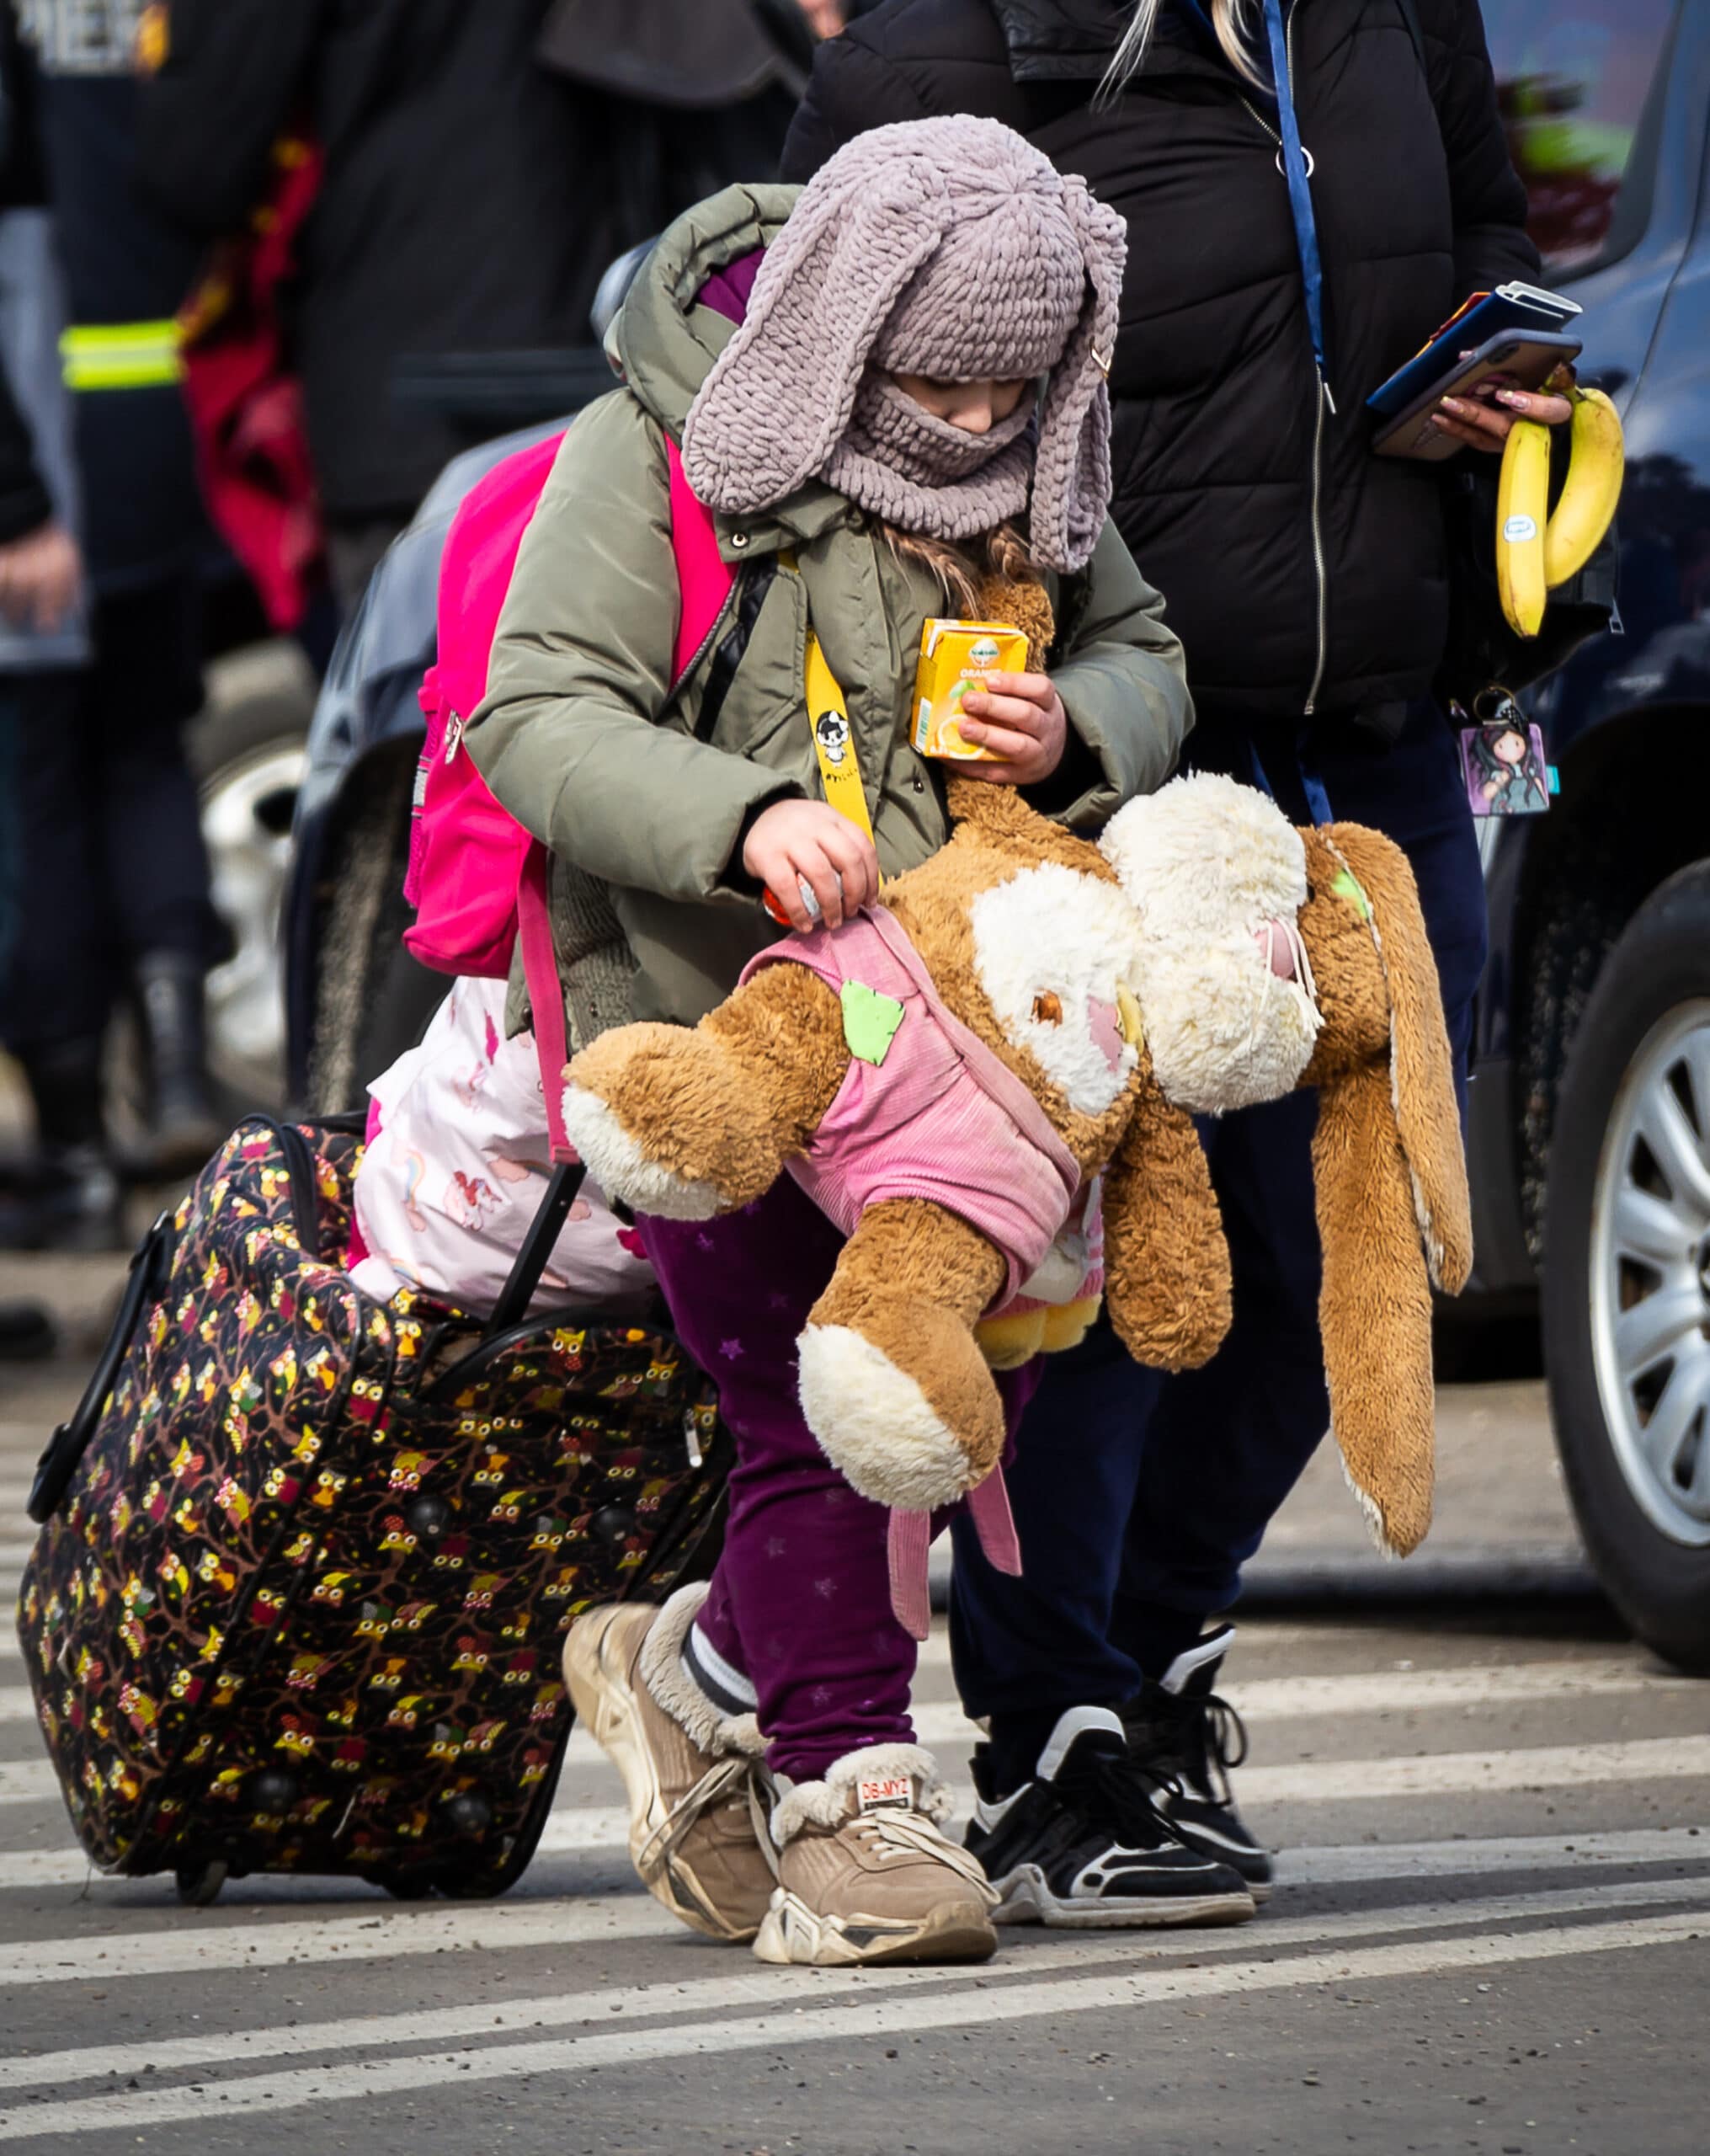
(1081, 1844)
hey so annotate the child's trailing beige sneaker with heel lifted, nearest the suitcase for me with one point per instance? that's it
(689, 1769)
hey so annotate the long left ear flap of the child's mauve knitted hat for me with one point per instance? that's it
(780, 398)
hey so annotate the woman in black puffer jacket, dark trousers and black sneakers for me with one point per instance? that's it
(1308, 583)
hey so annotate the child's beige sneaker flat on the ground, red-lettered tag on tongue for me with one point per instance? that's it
(868, 1877)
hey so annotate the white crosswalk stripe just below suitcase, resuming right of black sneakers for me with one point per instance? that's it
(389, 1933)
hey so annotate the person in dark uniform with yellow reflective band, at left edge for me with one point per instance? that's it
(115, 889)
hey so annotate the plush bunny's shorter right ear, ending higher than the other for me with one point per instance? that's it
(1420, 1064)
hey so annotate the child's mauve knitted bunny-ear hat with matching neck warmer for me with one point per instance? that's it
(946, 249)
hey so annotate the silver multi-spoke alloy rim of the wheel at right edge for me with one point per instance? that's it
(1651, 1275)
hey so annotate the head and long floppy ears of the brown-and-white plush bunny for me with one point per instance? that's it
(1388, 1157)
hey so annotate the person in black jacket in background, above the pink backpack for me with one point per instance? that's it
(482, 169)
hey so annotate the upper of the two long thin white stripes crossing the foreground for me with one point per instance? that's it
(762, 1987)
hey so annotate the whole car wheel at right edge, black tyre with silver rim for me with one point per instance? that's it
(1627, 1273)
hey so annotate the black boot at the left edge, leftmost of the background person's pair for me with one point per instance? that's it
(68, 1198)
